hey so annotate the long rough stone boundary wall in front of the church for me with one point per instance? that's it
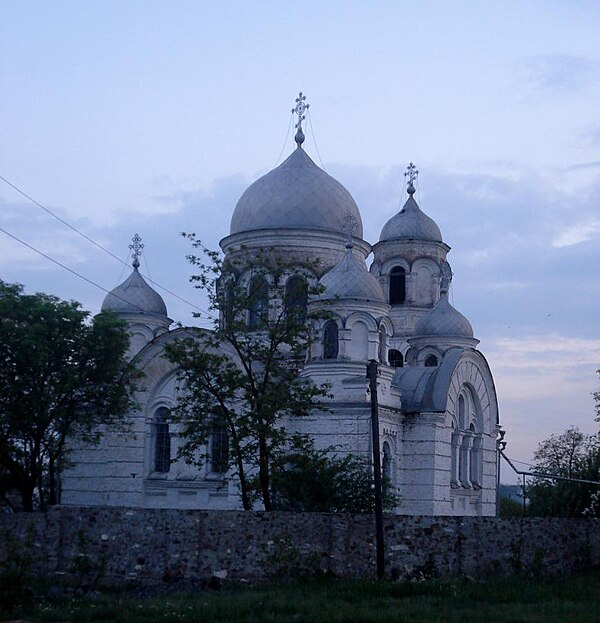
(145, 546)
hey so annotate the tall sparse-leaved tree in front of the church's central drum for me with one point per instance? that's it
(243, 376)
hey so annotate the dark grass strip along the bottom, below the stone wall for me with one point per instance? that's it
(517, 599)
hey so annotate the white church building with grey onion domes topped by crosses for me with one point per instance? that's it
(438, 409)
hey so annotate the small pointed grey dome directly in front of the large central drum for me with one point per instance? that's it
(350, 279)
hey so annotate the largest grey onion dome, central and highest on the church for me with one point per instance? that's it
(295, 195)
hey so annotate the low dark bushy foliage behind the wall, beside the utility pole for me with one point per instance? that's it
(309, 480)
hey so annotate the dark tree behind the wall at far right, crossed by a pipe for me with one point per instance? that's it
(571, 454)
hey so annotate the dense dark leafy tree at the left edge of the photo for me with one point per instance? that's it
(61, 377)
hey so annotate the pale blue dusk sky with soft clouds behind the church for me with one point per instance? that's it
(153, 117)
